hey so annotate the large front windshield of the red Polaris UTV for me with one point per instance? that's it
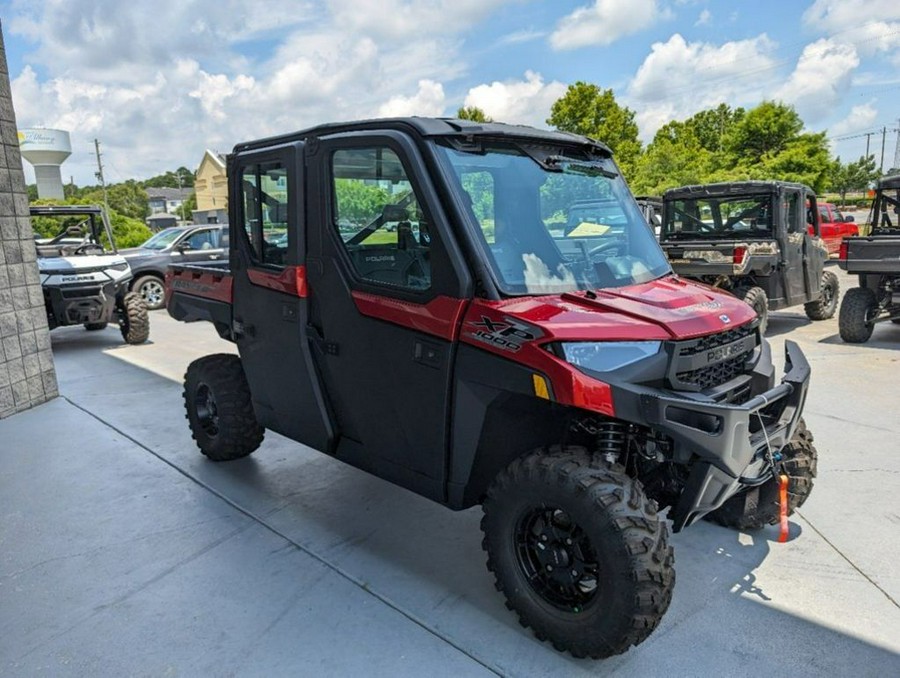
(554, 223)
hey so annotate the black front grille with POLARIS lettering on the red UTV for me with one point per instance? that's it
(694, 366)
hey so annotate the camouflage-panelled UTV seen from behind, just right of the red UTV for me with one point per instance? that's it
(757, 239)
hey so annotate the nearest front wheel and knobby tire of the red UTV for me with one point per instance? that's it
(579, 551)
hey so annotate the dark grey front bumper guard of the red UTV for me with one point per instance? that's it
(725, 445)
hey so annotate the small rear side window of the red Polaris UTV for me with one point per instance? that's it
(265, 205)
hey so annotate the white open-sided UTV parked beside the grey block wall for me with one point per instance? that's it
(83, 283)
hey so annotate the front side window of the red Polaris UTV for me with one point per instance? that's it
(379, 219)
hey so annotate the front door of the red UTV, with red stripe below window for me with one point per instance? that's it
(387, 295)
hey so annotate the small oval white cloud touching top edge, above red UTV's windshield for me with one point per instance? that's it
(604, 22)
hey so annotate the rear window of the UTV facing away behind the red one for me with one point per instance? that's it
(718, 217)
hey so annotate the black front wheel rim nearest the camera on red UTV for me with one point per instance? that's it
(557, 558)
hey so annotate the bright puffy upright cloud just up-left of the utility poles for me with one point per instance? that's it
(821, 78)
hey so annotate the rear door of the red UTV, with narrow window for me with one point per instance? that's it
(271, 306)
